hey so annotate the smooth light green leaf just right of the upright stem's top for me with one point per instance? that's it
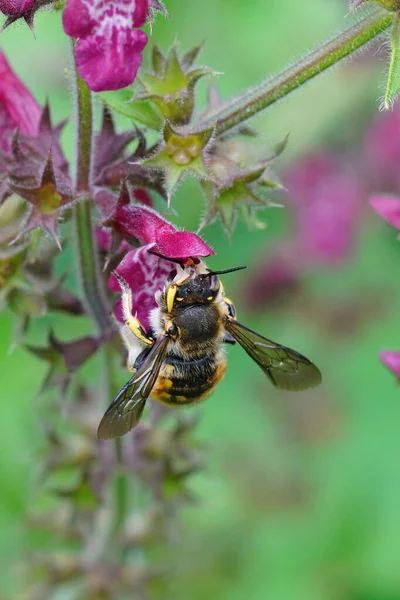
(121, 101)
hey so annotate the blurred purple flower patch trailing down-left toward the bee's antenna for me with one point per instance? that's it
(325, 201)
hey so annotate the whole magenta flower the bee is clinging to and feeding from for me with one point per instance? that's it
(142, 268)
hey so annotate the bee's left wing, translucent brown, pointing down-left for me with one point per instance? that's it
(126, 409)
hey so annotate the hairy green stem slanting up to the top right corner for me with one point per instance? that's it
(306, 68)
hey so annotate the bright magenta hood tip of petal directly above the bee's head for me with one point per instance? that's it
(182, 244)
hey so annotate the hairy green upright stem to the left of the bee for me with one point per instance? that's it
(86, 251)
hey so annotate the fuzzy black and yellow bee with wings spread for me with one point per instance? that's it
(181, 358)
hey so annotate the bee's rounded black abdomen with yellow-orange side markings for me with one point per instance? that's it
(183, 381)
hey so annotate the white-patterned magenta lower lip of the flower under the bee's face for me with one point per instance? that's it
(145, 274)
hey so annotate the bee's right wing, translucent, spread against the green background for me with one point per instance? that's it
(286, 368)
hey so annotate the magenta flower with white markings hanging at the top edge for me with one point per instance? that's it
(108, 51)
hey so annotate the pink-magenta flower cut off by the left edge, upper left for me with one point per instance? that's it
(18, 108)
